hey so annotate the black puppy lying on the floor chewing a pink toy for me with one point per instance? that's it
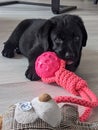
(65, 35)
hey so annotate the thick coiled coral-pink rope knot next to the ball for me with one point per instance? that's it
(70, 81)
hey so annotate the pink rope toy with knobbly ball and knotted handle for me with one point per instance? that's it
(52, 69)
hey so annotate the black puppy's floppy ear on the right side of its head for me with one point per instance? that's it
(79, 21)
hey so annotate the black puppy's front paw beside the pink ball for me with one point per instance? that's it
(31, 75)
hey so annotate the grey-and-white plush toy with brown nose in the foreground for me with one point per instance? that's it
(43, 113)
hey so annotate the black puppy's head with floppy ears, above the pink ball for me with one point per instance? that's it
(66, 35)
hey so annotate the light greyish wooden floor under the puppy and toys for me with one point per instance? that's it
(14, 86)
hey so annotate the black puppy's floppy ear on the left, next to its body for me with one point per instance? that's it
(44, 34)
